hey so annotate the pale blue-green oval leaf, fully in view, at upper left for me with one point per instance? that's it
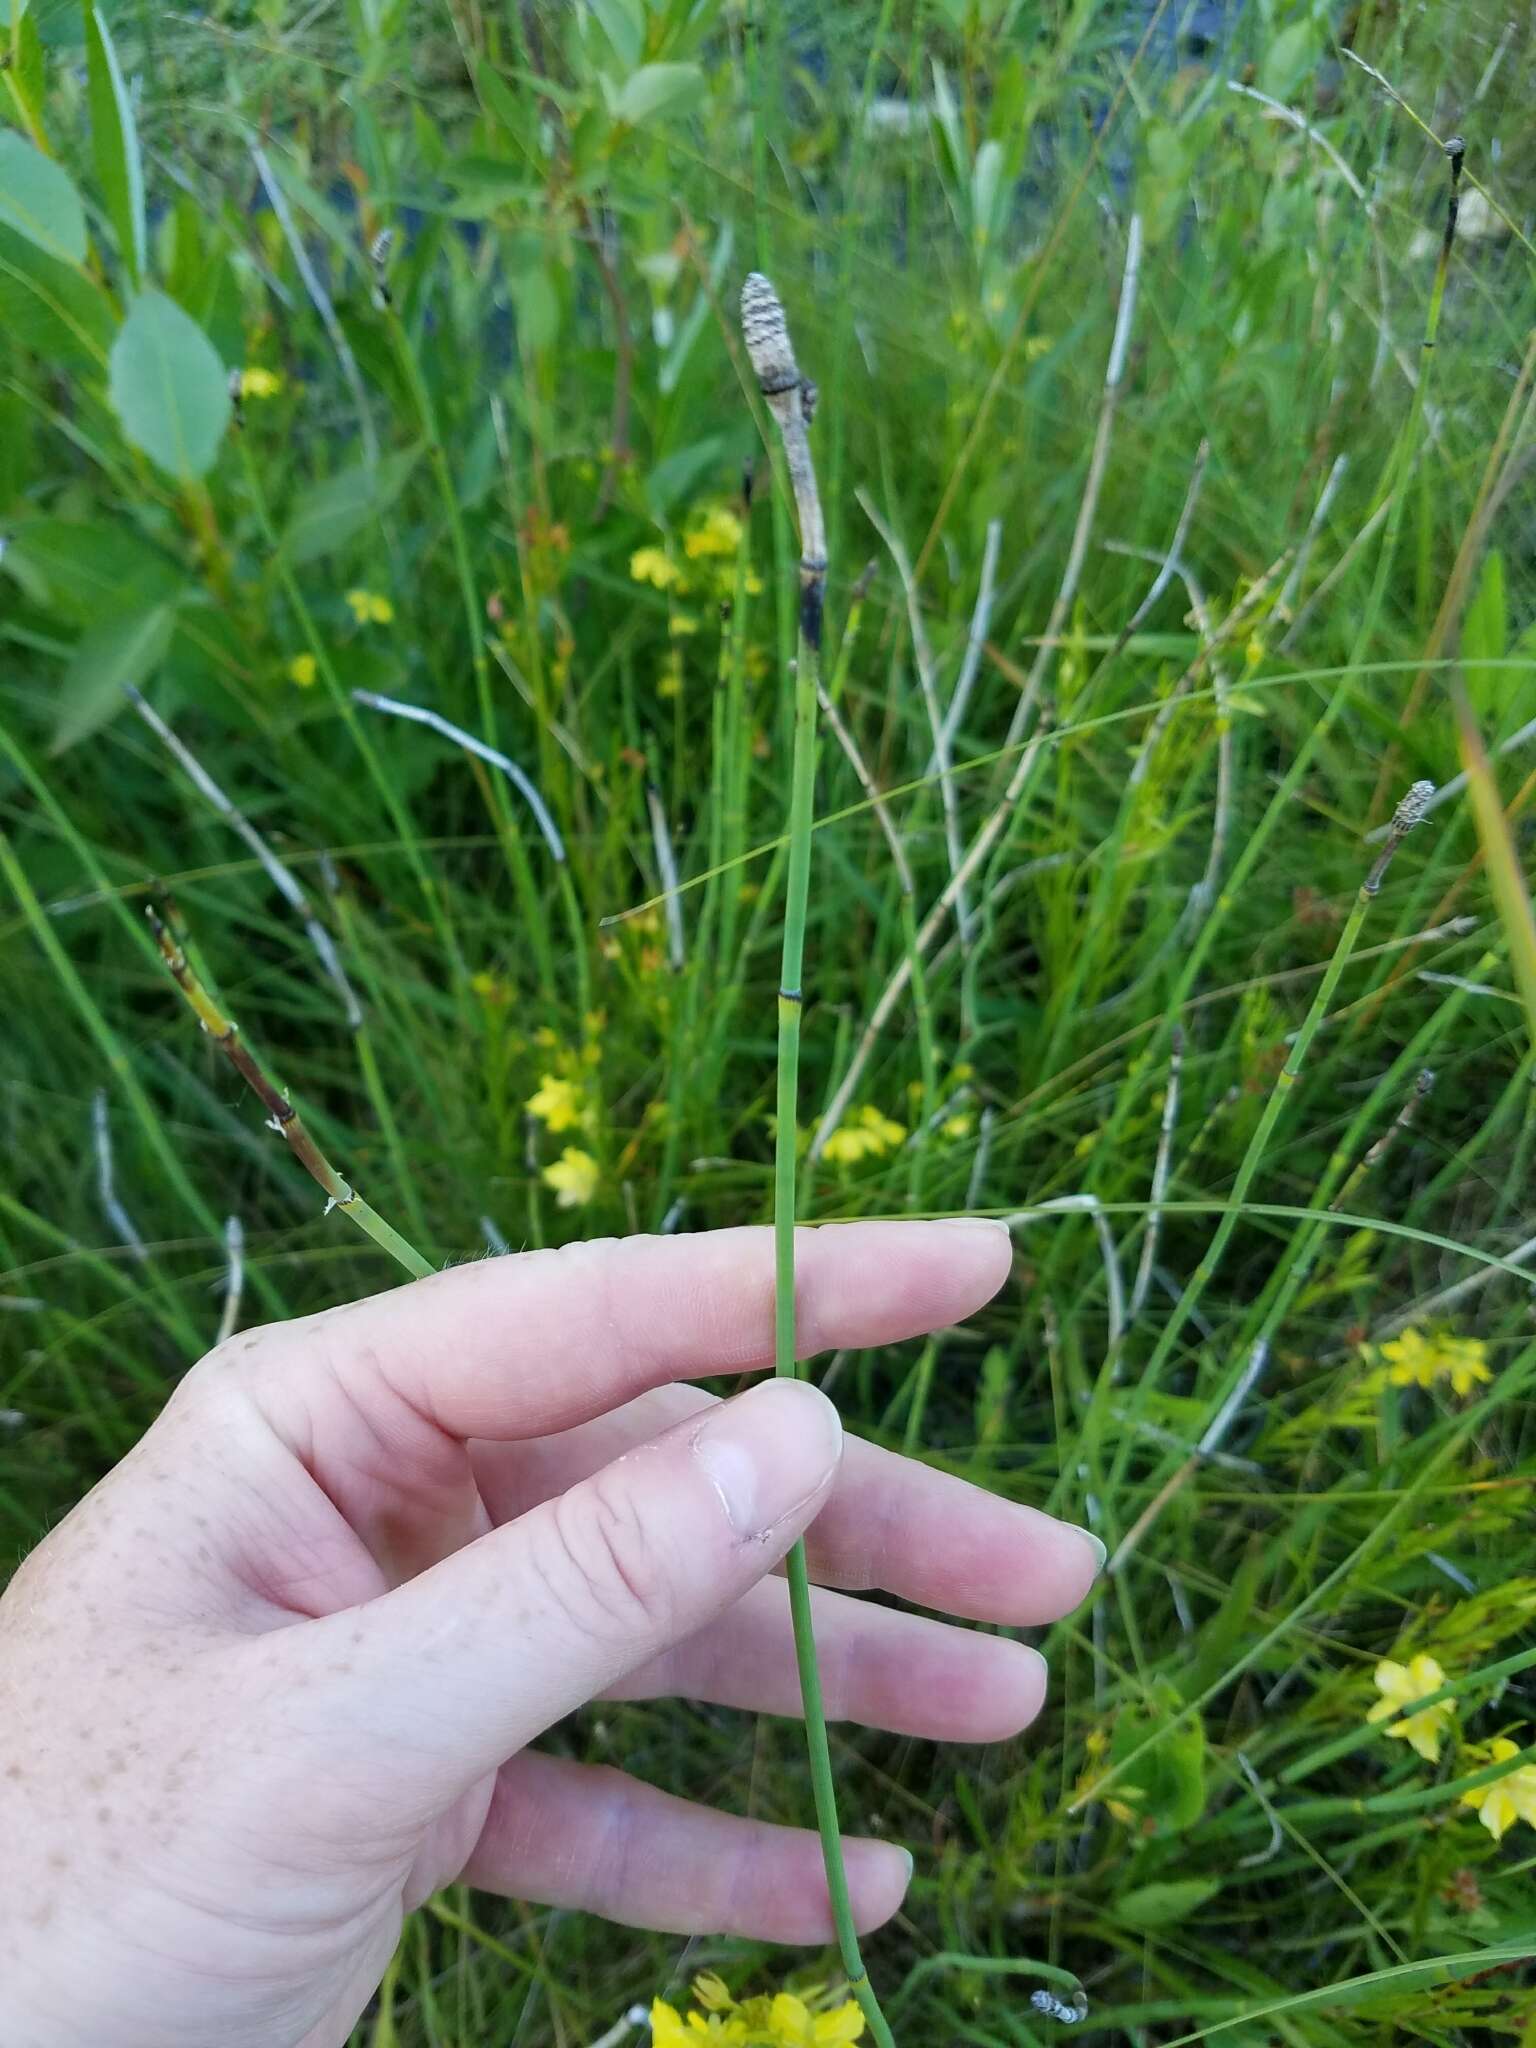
(169, 388)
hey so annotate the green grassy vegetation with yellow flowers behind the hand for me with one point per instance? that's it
(495, 470)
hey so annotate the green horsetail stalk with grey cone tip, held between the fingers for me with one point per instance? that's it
(792, 400)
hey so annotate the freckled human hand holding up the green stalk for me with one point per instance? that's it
(273, 1682)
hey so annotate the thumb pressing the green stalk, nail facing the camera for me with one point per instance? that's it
(466, 1664)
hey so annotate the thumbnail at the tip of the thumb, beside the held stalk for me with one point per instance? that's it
(769, 1453)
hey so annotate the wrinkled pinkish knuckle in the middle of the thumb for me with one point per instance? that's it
(605, 1568)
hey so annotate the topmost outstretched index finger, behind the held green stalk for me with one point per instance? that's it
(544, 1340)
